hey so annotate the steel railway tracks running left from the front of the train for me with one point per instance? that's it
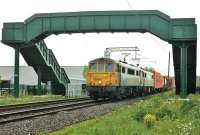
(13, 113)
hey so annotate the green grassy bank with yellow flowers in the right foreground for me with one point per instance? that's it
(167, 117)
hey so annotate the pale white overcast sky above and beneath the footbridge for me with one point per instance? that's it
(78, 49)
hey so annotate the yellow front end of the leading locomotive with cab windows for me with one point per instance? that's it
(102, 78)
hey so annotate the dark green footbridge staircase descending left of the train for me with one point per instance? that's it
(46, 66)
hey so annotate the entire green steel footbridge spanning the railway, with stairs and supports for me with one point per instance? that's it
(28, 37)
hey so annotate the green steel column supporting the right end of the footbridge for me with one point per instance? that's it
(183, 70)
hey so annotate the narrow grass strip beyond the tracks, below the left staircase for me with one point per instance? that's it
(6, 100)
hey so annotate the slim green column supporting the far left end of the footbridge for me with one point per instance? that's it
(16, 73)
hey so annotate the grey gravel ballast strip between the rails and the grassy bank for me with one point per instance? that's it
(57, 121)
